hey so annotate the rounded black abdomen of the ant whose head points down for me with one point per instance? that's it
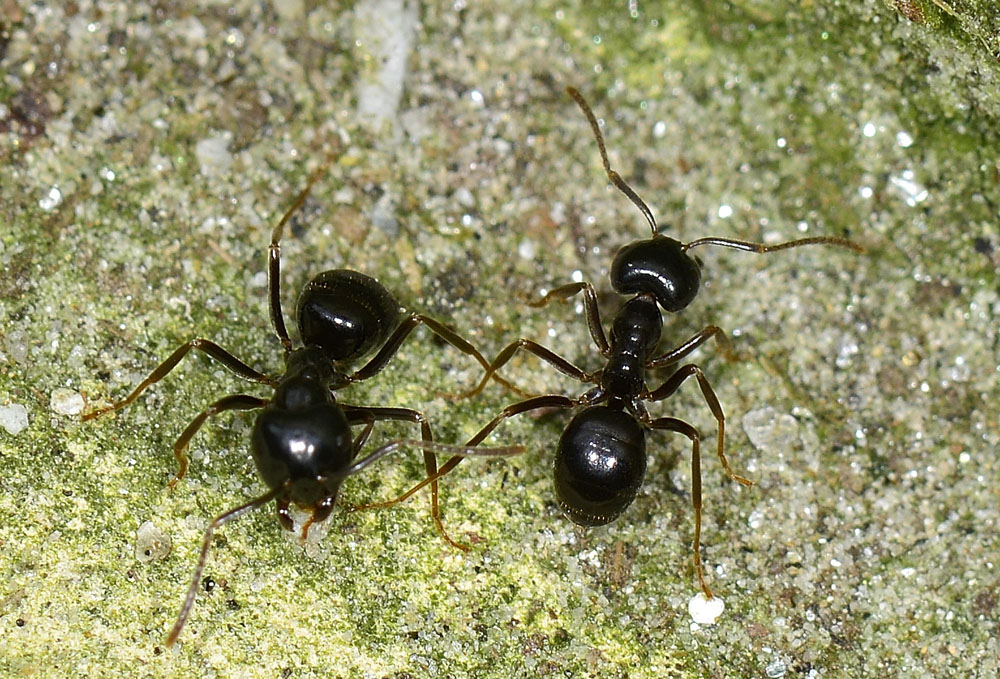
(346, 313)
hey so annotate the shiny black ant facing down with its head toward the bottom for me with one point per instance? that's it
(302, 443)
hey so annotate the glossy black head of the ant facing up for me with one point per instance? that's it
(660, 267)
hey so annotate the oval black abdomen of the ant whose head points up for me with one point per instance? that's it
(600, 465)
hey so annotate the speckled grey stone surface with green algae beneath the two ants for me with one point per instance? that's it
(148, 147)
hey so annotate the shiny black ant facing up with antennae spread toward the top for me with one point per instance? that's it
(601, 459)
